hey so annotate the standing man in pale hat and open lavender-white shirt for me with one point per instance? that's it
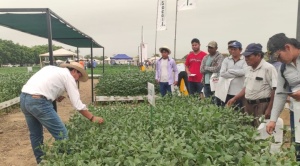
(164, 75)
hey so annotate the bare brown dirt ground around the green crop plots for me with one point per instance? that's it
(15, 147)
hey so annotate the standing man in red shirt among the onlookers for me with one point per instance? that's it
(192, 68)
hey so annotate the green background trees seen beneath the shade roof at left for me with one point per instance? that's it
(15, 53)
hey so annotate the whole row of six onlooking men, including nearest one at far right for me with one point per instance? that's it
(255, 86)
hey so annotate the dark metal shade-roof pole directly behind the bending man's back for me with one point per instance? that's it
(49, 29)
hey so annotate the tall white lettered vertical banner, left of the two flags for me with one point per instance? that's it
(161, 16)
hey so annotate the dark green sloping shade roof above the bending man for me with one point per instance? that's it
(35, 23)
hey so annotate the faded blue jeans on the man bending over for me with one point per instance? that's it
(39, 112)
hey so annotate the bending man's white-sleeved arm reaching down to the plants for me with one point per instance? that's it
(73, 93)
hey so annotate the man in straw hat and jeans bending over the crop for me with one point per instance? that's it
(45, 86)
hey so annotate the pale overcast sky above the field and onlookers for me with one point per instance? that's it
(116, 24)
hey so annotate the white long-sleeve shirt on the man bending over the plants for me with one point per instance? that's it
(52, 82)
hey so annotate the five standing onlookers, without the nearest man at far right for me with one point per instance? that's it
(251, 81)
